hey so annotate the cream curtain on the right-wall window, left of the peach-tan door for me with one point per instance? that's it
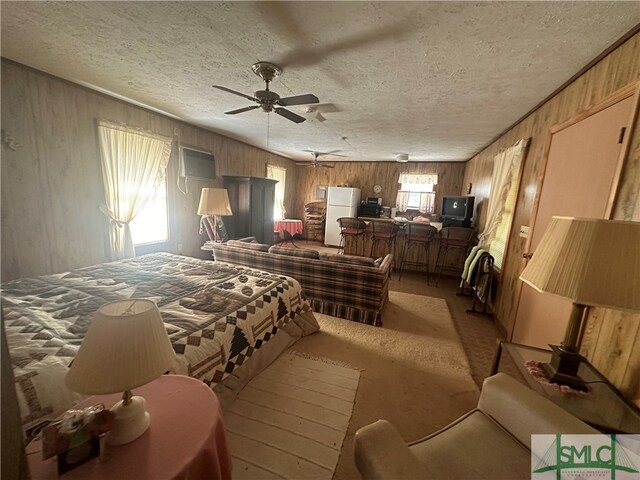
(506, 166)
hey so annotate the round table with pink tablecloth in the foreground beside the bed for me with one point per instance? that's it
(185, 440)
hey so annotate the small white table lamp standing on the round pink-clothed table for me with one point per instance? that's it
(126, 346)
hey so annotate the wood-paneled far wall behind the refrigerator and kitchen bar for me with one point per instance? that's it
(364, 175)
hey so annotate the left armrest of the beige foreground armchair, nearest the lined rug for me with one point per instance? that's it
(381, 453)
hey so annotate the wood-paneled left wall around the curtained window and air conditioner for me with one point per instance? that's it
(52, 182)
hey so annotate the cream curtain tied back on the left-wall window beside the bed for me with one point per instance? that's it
(133, 163)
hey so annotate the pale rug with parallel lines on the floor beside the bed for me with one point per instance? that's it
(291, 420)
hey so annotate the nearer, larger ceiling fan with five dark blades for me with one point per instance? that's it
(270, 101)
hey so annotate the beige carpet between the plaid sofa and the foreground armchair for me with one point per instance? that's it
(414, 370)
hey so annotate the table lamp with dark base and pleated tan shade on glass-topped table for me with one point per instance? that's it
(593, 262)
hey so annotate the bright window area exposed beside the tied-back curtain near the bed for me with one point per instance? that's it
(151, 224)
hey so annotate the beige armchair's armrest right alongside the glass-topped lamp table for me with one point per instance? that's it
(522, 412)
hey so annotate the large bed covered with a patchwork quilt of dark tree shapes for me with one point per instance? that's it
(226, 323)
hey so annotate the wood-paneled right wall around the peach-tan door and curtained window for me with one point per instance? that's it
(612, 339)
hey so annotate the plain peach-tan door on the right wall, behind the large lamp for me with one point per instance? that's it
(583, 166)
